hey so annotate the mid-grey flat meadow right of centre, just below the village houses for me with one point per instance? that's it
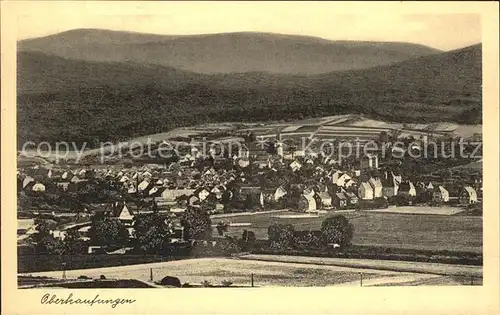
(415, 231)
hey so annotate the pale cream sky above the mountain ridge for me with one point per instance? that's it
(335, 21)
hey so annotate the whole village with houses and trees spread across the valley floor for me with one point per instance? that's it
(259, 177)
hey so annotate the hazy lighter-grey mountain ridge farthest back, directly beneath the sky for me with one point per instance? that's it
(225, 53)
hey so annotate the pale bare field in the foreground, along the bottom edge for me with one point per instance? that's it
(195, 271)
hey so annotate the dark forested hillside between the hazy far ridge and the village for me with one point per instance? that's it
(78, 100)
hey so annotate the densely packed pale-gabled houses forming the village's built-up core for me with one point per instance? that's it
(190, 182)
